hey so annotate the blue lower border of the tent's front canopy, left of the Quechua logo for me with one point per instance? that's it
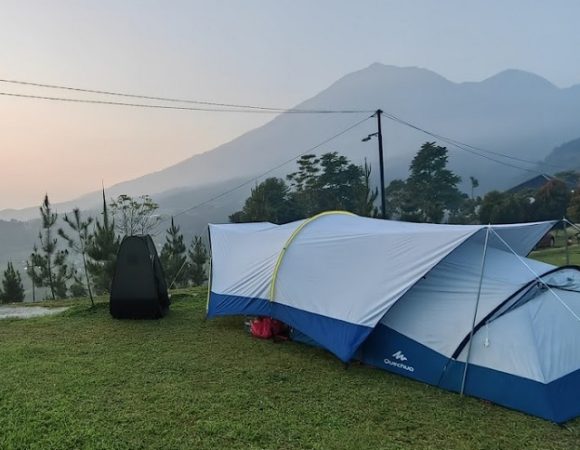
(339, 337)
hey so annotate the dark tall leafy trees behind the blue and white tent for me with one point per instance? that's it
(429, 194)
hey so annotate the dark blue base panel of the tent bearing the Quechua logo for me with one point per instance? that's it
(558, 401)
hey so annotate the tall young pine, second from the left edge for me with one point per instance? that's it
(50, 264)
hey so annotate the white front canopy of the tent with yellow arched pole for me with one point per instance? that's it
(326, 265)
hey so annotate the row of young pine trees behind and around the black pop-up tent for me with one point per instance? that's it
(95, 243)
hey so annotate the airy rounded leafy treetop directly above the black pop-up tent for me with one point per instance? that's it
(135, 216)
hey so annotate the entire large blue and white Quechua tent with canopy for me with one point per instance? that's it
(456, 306)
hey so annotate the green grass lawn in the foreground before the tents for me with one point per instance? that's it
(84, 380)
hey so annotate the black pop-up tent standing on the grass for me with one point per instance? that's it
(139, 290)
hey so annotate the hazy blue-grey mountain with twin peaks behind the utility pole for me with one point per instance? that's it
(513, 112)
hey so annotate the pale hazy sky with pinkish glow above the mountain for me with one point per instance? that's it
(259, 52)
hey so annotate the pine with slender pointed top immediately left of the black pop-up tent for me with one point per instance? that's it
(102, 252)
